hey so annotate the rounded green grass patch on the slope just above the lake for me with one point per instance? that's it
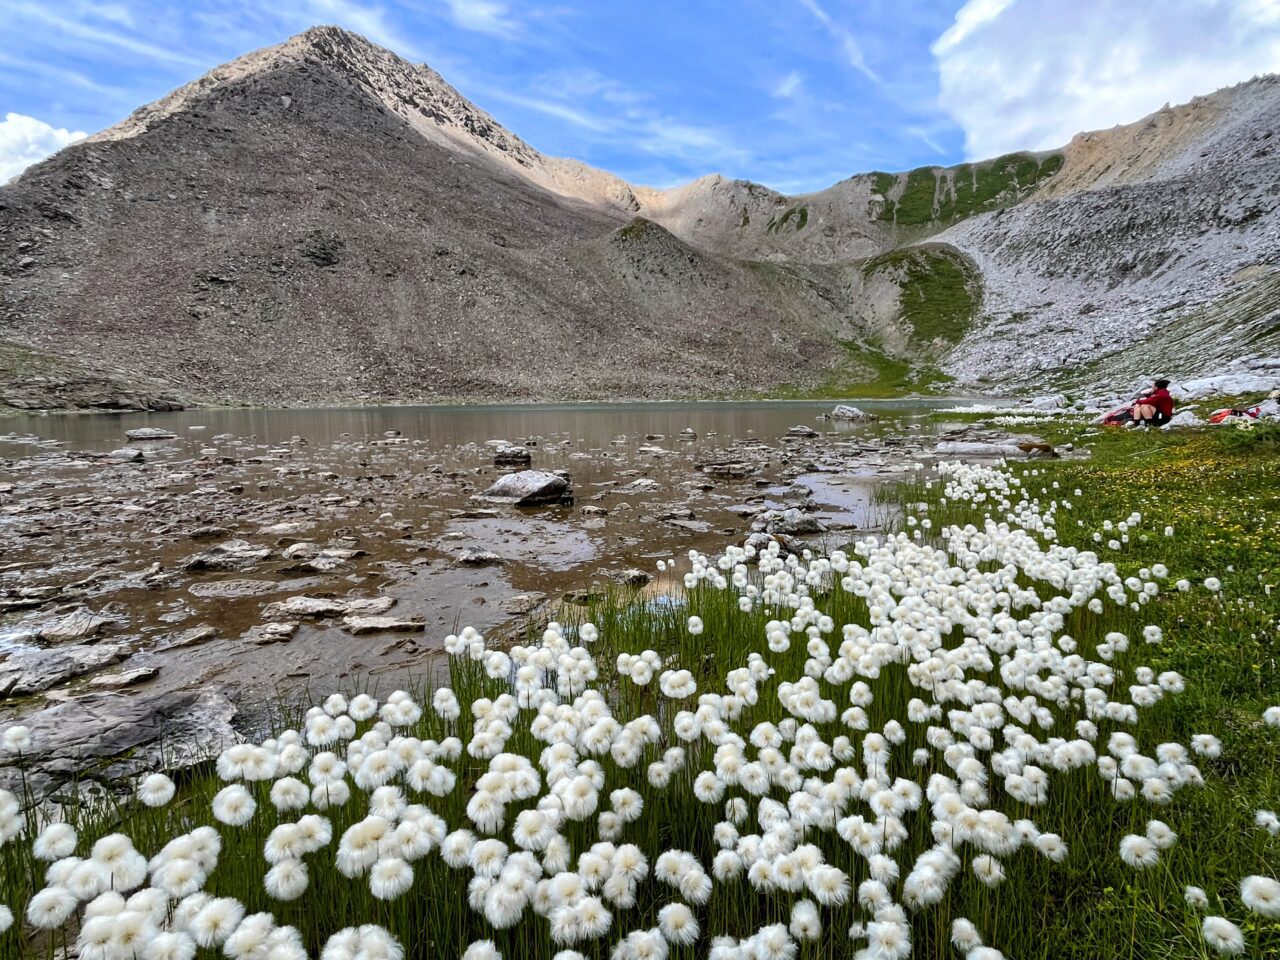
(940, 291)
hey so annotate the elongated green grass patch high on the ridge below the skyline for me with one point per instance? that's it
(947, 195)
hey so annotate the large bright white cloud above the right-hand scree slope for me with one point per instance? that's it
(1028, 75)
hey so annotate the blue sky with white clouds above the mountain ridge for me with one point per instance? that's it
(796, 94)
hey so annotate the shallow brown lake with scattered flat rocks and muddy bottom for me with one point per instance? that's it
(125, 625)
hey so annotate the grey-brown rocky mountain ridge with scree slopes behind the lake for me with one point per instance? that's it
(222, 271)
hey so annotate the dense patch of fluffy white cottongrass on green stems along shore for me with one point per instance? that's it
(929, 744)
